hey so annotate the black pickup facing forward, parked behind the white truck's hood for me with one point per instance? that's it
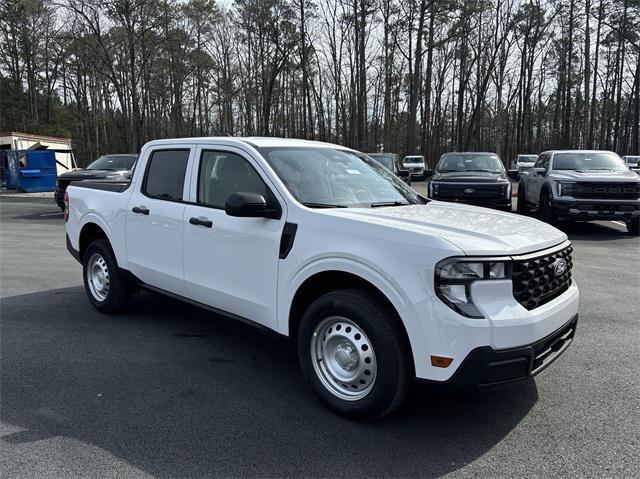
(473, 178)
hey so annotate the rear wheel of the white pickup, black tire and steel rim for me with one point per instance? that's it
(115, 298)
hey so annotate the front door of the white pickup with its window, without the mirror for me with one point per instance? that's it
(230, 263)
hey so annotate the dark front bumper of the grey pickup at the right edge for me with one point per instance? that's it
(596, 209)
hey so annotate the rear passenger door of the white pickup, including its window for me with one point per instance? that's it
(154, 219)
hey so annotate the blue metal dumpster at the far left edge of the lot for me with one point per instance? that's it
(31, 170)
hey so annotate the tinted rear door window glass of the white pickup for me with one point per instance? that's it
(165, 174)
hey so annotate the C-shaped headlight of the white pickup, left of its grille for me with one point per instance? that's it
(454, 277)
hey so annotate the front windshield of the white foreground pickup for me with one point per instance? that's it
(331, 177)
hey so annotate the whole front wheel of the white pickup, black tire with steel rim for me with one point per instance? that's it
(354, 353)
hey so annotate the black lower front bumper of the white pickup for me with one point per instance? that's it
(486, 367)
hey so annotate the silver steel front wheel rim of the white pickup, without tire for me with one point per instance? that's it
(343, 358)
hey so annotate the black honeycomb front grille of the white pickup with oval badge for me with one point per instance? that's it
(535, 281)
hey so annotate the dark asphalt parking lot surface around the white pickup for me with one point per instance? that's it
(168, 390)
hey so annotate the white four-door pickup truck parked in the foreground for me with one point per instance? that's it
(378, 285)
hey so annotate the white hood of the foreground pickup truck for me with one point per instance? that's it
(474, 230)
